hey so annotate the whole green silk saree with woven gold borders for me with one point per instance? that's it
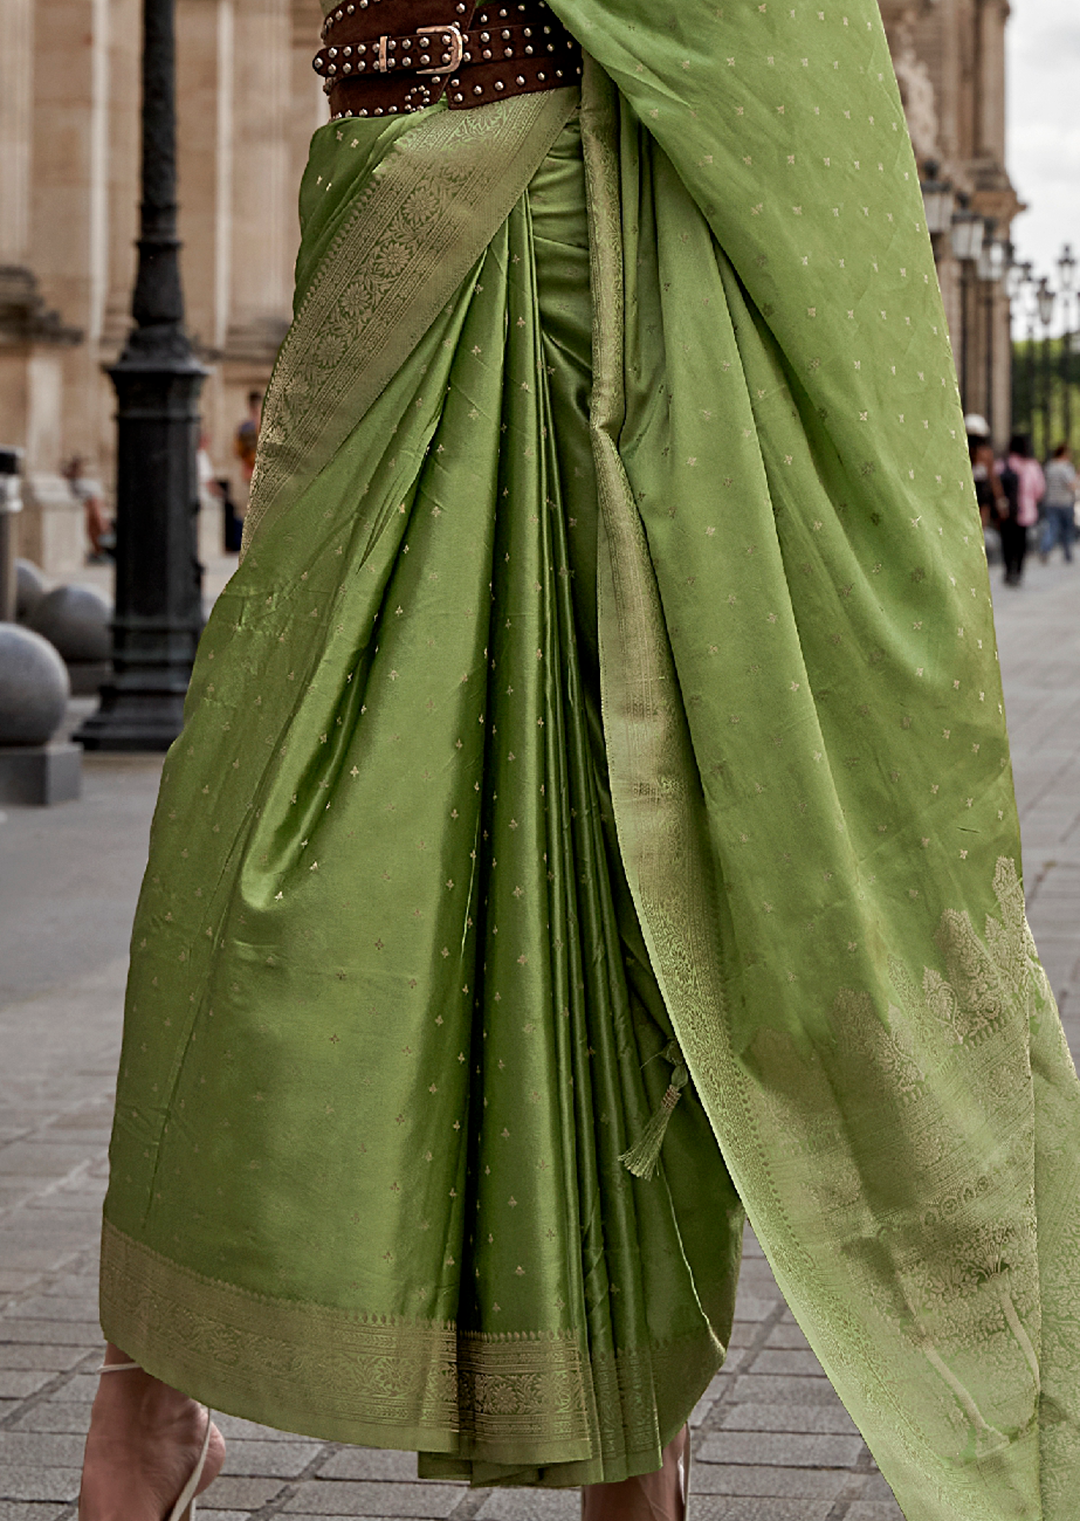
(611, 661)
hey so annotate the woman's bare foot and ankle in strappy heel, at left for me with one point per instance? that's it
(144, 1446)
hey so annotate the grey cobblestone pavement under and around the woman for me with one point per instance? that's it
(773, 1443)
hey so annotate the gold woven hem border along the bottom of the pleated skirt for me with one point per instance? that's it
(518, 1399)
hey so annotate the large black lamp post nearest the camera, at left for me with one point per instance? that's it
(159, 605)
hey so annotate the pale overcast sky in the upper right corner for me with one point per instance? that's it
(1044, 127)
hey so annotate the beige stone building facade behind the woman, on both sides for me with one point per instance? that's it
(249, 103)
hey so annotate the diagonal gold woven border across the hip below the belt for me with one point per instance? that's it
(424, 221)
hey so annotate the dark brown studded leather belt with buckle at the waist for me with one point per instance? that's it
(395, 57)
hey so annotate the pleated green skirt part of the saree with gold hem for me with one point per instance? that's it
(386, 974)
